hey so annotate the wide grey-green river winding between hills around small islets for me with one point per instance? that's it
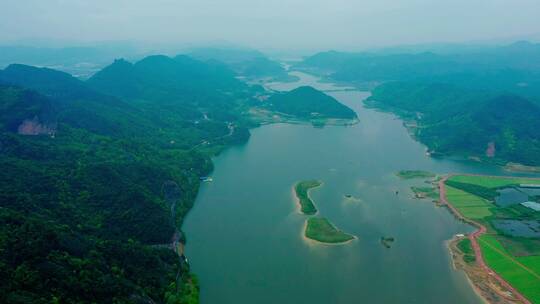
(244, 232)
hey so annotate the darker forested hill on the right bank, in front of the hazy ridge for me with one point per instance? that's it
(457, 121)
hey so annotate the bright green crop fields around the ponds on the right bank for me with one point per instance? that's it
(523, 272)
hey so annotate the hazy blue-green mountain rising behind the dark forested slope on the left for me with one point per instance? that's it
(205, 96)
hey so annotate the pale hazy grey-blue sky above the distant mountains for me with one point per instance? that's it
(269, 24)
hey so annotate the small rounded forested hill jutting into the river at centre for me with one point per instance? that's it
(306, 102)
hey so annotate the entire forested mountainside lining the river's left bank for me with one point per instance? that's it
(88, 179)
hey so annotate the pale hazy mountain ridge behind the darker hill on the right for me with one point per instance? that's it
(512, 68)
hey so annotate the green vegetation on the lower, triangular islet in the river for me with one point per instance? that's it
(320, 229)
